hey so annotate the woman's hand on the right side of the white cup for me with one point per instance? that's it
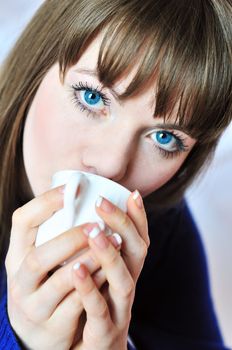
(108, 314)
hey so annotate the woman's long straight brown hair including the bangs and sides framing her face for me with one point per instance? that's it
(184, 45)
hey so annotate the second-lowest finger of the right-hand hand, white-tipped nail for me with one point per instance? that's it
(121, 284)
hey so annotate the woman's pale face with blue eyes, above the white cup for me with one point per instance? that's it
(81, 125)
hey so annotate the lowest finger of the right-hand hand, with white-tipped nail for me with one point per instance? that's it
(98, 316)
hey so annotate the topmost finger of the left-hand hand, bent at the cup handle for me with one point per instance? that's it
(26, 219)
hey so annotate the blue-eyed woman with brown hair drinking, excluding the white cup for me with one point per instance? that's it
(140, 94)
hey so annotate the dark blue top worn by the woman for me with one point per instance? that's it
(173, 309)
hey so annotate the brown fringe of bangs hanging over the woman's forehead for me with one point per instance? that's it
(170, 47)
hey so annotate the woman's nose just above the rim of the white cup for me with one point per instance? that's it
(109, 154)
